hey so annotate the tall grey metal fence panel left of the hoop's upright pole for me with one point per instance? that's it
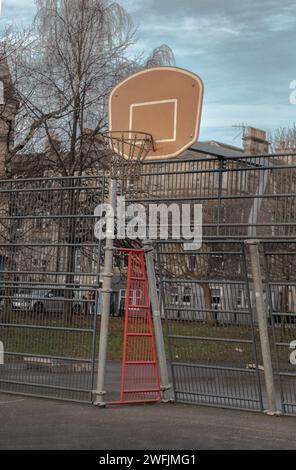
(49, 276)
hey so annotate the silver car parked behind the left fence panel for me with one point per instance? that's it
(41, 300)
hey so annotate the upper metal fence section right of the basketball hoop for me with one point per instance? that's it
(242, 197)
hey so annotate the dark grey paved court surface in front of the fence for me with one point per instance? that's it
(29, 423)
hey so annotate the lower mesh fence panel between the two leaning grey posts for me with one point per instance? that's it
(210, 325)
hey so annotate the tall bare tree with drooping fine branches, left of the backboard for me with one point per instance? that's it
(76, 51)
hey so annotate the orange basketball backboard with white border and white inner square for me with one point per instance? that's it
(165, 102)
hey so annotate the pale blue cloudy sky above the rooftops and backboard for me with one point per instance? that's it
(244, 50)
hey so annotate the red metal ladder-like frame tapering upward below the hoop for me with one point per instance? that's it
(139, 379)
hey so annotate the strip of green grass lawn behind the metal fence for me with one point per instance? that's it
(36, 339)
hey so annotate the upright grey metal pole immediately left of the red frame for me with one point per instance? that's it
(107, 275)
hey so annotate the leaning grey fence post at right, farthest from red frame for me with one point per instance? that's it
(263, 326)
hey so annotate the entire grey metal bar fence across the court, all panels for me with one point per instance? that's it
(50, 278)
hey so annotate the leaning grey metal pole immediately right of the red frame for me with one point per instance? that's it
(165, 385)
